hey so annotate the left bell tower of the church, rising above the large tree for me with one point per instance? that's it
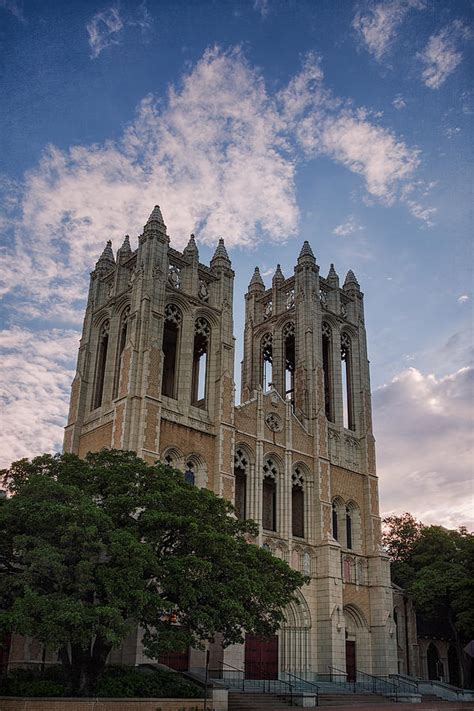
(155, 364)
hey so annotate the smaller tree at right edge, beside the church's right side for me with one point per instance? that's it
(436, 566)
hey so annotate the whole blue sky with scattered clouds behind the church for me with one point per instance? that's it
(266, 122)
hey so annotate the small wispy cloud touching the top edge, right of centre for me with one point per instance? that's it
(377, 23)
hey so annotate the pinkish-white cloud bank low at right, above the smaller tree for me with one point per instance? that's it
(424, 429)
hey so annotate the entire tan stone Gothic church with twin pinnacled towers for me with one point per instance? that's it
(155, 374)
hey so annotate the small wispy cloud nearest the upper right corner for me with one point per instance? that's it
(441, 55)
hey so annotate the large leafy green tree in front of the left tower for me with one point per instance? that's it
(92, 547)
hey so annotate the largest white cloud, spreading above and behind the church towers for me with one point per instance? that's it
(219, 155)
